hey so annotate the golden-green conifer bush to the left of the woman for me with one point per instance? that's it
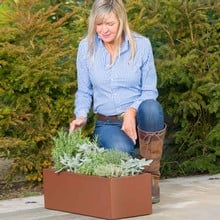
(37, 74)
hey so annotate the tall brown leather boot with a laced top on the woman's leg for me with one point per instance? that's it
(151, 147)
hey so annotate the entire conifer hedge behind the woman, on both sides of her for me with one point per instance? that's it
(38, 44)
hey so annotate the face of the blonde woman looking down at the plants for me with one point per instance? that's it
(107, 28)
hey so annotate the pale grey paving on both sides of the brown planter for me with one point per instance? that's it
(185, 198)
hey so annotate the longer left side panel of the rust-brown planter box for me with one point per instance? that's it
(75, 193)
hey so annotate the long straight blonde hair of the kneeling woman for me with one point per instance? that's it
(102, 8)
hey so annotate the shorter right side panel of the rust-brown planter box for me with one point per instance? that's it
(131, 196)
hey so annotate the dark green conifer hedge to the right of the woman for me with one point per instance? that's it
(185, 39)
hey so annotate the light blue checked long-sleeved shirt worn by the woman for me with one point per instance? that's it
(114, 88)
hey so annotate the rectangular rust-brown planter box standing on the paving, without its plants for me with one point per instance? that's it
(108, 198)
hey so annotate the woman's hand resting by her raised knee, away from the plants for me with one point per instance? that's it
(129, 124)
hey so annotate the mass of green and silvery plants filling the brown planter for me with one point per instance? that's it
(75, 153)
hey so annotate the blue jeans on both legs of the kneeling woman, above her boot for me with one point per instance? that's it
(110, 136)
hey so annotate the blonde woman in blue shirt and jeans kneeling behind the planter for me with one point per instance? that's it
(116, 73)
